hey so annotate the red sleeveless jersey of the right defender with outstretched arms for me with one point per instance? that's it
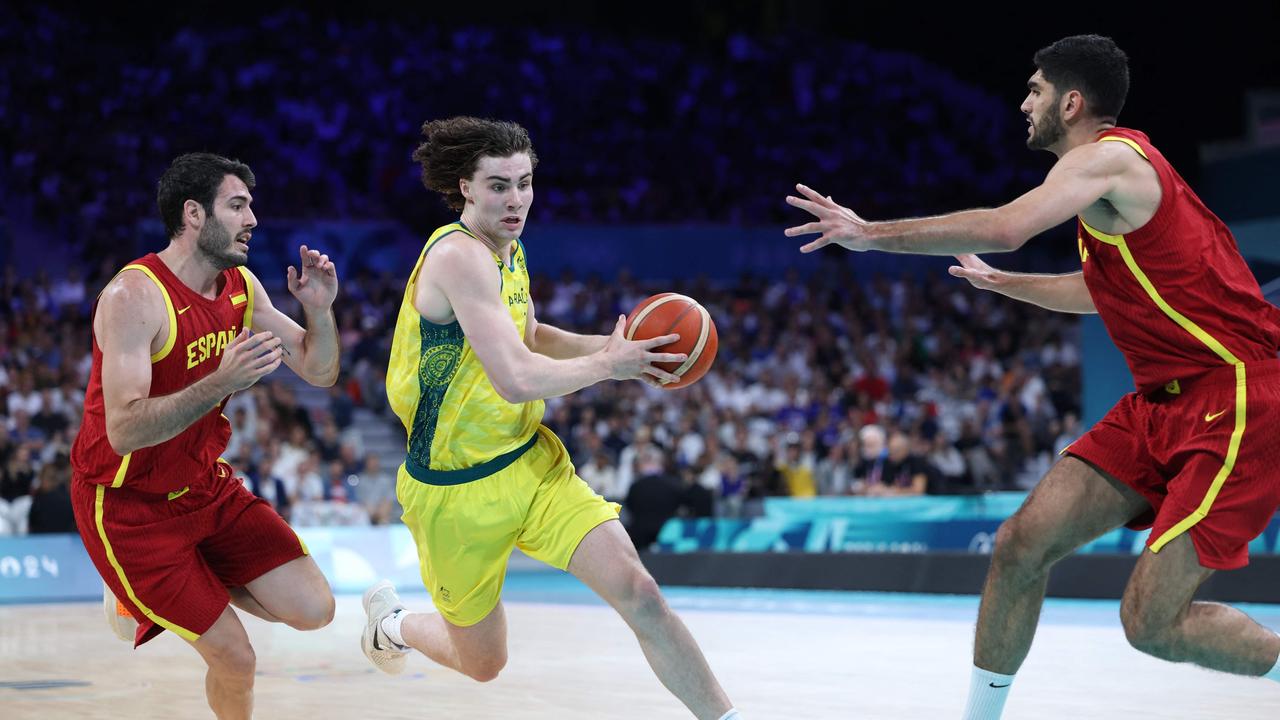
(1176, 295)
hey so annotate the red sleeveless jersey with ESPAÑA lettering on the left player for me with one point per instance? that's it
(198, 332)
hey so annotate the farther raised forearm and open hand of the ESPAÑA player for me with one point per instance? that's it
(312, 353)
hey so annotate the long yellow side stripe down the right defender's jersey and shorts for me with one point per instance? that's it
(1233, 448)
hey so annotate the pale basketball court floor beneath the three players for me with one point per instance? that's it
(780, 655)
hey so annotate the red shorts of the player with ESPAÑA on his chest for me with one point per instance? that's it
(171, 558)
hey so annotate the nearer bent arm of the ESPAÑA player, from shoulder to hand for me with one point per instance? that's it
(130, 318)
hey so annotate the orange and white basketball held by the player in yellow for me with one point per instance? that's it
(674, 313)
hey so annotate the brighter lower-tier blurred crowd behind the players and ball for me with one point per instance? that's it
(822, 386)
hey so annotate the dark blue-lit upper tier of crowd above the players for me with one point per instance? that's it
(327, 113)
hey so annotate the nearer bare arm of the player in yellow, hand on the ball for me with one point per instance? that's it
(464, 272)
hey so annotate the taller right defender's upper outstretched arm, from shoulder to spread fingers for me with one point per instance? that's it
(1080, 180)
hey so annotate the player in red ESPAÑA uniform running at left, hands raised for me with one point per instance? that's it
(173, 532)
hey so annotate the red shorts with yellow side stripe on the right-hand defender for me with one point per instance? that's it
(1204, 453)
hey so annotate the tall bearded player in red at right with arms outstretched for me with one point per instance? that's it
(1191, 454)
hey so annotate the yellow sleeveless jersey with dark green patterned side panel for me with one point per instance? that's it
(458, 423)
